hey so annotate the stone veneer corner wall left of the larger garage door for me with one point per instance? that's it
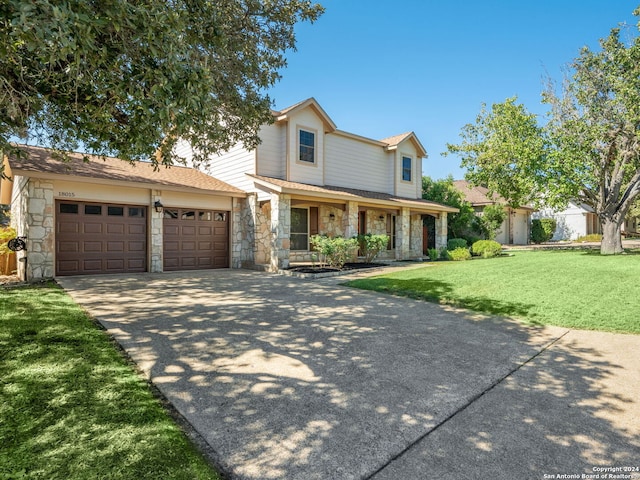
(32, 215)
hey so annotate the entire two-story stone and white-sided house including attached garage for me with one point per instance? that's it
(259, 207)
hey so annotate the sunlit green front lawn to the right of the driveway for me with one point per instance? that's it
(575, 289)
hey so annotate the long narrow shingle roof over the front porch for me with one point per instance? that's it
(353, 194)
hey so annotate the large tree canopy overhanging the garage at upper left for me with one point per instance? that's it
(131, 77)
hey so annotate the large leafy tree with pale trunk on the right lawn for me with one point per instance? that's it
(588, 151)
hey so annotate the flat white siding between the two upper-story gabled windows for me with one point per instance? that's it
(356, 164)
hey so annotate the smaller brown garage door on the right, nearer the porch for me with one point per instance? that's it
(195, 239)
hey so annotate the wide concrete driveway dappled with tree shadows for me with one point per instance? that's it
(305, 379)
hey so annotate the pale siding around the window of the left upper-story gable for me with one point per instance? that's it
(299, 171)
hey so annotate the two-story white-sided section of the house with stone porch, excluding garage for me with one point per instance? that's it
(307, 177)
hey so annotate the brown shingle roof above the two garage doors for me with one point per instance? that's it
(39, 160)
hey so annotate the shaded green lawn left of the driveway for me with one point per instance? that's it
(71, 407)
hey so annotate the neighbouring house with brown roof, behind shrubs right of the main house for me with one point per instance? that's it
(516, 229)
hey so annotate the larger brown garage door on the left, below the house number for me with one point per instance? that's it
(100, 238)
